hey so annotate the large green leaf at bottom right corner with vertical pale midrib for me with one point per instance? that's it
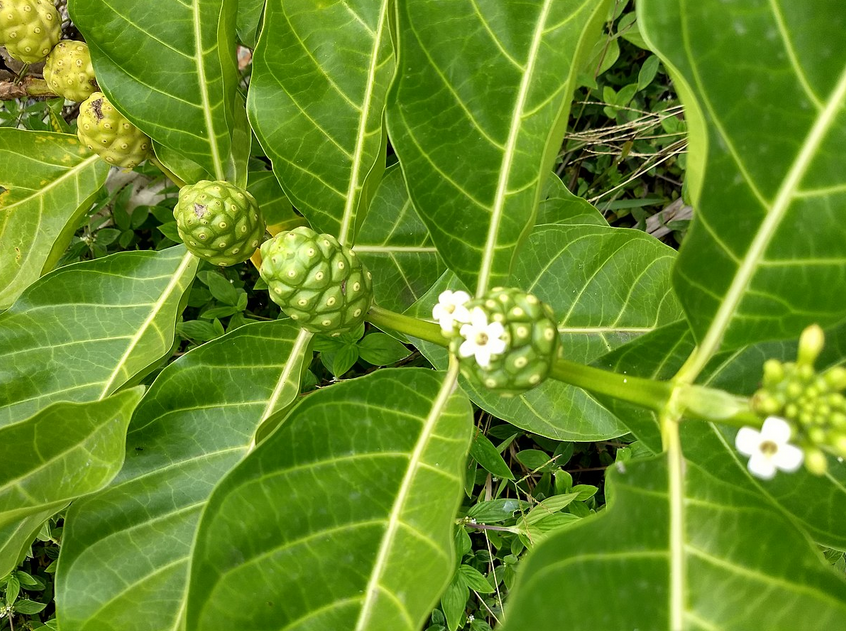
(745, 566)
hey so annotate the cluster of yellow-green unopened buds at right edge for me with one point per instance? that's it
(812, 402)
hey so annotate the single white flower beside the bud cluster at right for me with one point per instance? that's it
(769, 449)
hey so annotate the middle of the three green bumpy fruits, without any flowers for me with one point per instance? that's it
(316, 281)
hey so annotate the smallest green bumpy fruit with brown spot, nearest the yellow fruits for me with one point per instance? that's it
(219, 222)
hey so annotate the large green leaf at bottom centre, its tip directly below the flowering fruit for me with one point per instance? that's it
(343, 519)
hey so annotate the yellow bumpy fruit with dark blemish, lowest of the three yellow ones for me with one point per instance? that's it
(110, 135)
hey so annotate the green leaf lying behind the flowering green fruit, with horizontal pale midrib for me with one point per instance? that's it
(607, 286)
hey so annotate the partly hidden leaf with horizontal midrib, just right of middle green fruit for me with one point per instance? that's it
(396, 247)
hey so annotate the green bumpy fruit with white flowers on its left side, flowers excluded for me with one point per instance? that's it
(531, 342)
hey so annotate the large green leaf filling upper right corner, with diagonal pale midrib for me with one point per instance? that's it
(764, 97)
